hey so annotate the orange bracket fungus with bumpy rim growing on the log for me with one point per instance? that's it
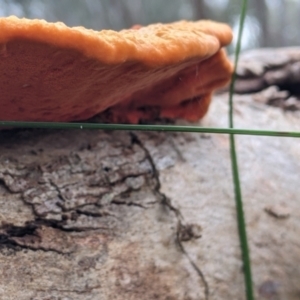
(51, 72)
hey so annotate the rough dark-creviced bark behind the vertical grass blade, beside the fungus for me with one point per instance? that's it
(276, 72)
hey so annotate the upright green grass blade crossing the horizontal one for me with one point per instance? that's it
(235, 172)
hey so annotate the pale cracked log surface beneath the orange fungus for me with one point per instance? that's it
(119, 215)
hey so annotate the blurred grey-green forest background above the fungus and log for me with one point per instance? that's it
(270, 23)
